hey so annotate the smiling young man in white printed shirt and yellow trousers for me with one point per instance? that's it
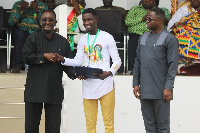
(96, 48)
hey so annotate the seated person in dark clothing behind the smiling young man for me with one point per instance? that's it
(108, 5)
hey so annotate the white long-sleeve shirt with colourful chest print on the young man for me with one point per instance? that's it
(96, 88)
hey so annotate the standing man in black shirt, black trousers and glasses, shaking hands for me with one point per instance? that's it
(44, 77)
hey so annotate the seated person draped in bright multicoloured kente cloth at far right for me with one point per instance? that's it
(185, 25)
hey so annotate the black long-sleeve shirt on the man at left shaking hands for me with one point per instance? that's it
(44, 79)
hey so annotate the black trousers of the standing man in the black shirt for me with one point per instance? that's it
(33, 113)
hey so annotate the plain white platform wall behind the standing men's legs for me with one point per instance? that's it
(185, 107)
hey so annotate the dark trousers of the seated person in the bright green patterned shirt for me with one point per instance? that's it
(132, 46)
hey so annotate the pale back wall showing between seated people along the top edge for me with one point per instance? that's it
(127, 4)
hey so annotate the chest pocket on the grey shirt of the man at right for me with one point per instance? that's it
(159, 52)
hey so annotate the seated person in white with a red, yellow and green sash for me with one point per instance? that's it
(74, 20)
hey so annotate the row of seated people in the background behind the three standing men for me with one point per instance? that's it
(25, 22)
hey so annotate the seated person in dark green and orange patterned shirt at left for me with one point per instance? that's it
(24, 18)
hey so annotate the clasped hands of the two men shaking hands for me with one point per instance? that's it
(54, 57)
